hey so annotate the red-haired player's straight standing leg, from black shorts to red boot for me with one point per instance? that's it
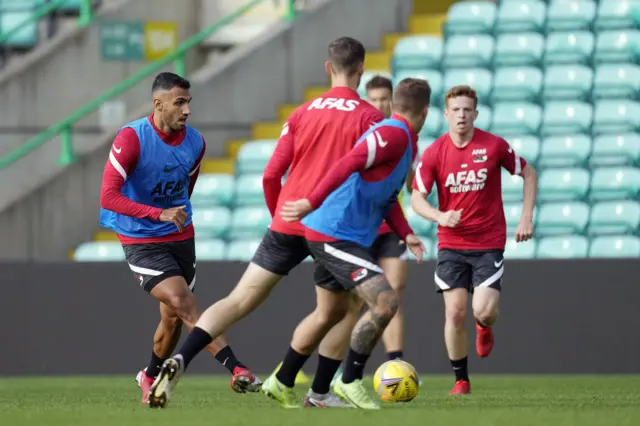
(453, 280)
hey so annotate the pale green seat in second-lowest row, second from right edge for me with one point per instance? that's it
(562, 218)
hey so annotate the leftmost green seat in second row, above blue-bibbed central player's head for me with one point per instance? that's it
(417, 53)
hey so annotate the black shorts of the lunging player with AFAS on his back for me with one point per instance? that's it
(280, 253)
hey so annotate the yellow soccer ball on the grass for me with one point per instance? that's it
(396, 381)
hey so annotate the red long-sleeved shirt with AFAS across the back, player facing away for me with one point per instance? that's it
(314, 138)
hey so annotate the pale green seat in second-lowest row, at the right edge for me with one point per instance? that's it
(614, 217)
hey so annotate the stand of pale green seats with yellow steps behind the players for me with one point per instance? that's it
(559, 79)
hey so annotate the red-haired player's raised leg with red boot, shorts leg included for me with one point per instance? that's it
(488, 269)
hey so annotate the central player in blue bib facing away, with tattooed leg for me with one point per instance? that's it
(349, 206)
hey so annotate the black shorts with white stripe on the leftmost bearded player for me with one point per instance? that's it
(152, 263)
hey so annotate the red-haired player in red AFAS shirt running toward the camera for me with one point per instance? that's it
(465, 165)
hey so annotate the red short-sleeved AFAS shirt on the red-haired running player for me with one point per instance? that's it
(469, 178)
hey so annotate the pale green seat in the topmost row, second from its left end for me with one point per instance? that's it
(521, 16)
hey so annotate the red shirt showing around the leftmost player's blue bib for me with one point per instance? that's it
(122, 162)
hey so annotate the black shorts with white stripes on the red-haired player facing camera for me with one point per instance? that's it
(469, 269)
